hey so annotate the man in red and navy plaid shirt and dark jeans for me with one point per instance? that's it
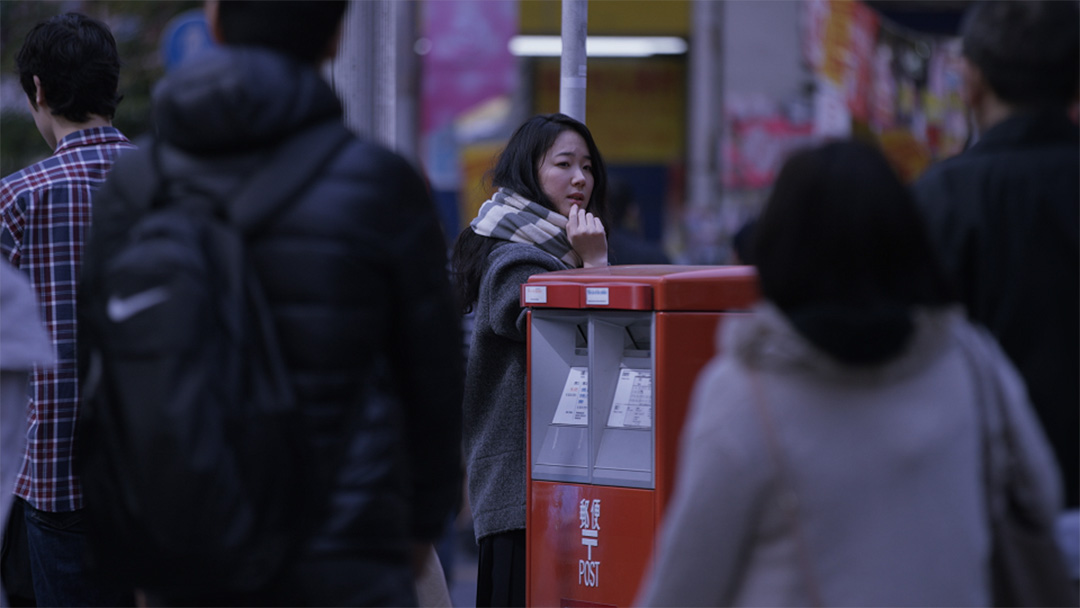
(70, 70)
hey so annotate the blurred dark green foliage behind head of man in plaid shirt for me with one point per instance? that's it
(138, 26)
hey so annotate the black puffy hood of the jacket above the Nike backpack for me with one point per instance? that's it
(237, 99)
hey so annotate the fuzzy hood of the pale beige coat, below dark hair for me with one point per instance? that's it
(768, 341)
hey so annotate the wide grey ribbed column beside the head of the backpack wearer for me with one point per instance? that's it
(375, 74)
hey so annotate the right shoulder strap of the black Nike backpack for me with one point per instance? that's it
(289, 171)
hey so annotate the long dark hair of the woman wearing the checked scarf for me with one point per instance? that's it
(518, 170)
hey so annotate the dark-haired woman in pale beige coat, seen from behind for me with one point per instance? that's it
(833, 455)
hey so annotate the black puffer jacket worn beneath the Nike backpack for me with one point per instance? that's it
(356, 276)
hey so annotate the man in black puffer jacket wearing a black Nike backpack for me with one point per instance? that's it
(274, 374)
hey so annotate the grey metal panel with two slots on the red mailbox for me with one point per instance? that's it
(587, 425)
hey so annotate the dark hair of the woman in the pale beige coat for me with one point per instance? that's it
(843, 251)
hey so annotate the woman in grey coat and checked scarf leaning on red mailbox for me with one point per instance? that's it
(547, 215)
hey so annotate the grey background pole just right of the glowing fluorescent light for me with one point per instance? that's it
(707, 103)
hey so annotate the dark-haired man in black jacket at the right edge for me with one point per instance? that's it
(1006, 214)
